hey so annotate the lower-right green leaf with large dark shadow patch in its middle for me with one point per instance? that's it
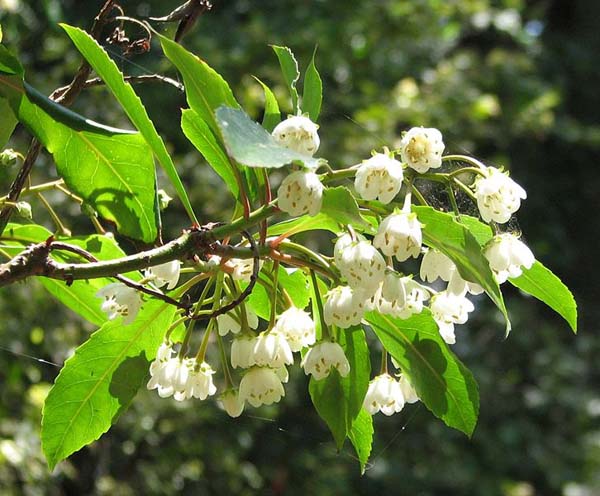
(443, 383)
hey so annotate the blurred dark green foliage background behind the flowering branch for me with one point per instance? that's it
(513, 82)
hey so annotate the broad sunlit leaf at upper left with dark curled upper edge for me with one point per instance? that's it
(113, 172)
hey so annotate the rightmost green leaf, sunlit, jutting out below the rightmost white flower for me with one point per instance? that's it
(540, 282)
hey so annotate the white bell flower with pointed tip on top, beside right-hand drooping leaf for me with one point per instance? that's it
(400, 235)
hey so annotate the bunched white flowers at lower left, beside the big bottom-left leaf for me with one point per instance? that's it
(182, 378)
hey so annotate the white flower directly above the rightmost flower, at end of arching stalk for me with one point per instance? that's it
(498, 196)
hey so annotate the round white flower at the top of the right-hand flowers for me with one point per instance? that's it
(421, 148)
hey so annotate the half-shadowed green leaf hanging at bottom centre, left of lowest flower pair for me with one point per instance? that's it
(338, 400)
